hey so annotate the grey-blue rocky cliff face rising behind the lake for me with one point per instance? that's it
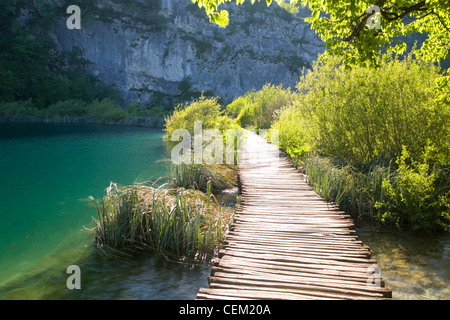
(149, 48)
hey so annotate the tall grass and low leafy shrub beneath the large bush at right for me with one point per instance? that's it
(402, 194)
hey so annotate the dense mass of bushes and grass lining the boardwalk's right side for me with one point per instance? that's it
(373, 140)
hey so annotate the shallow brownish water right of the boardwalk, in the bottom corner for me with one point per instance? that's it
(414, 266)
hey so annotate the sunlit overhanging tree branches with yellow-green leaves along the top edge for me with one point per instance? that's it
(359, 29)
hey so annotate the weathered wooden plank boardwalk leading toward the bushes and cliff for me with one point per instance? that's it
(288, 243)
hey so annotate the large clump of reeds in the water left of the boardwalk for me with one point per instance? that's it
(182, 224)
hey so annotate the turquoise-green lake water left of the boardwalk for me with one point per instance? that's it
(47, 173)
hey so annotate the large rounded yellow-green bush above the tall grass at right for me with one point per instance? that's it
(364, 113)
